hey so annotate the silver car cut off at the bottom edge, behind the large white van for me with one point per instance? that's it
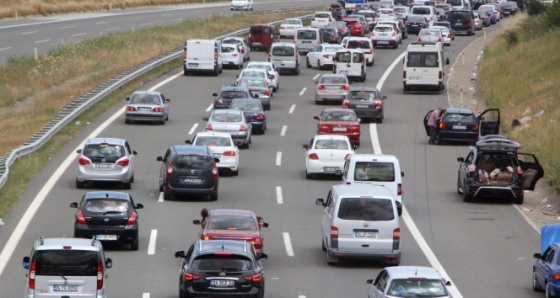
(409, 281)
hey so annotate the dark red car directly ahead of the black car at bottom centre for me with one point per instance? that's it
(233, 224)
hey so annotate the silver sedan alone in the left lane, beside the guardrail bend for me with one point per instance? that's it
(147, 106)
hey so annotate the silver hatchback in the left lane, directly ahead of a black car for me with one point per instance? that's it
(105, 160)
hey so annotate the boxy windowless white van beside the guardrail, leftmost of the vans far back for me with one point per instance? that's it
(203, 55)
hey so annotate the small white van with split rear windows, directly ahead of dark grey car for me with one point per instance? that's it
(351, 63)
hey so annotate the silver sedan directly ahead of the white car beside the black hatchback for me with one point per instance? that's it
(232, 122)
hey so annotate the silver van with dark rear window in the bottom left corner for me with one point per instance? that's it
(66, 267)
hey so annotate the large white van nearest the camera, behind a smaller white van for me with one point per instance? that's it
(360, 221)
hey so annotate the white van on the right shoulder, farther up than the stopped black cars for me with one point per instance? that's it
(424, 67)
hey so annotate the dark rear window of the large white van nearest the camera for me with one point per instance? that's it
(371, 209)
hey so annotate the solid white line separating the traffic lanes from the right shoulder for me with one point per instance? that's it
(426, 250)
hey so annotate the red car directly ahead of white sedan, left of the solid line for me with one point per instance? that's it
(340, 121)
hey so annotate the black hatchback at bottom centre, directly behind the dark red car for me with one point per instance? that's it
(220, 268)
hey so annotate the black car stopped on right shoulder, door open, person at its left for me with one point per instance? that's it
(462, 125)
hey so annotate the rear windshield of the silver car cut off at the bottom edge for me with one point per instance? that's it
(417, 288)
